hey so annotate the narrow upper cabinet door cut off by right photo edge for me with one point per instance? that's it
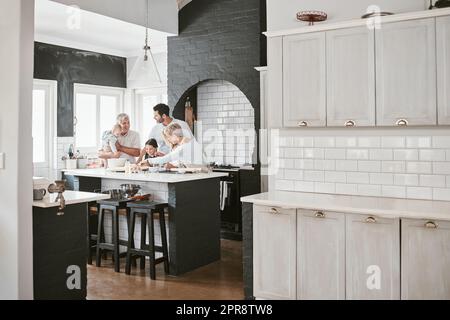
(443, 68)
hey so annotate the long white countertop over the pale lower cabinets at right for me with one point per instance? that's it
(376, 206)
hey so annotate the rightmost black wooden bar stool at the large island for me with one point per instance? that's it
(147, 210)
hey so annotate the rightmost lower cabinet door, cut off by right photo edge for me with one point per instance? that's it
(425, 260)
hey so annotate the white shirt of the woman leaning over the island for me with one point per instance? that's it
(190, 153)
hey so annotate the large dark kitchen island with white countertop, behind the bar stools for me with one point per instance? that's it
(194, 210)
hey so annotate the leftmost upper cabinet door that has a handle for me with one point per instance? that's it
(304, 80)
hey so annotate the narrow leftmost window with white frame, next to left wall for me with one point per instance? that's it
(43, 114)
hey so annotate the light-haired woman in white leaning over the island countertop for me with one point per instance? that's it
(184, 151)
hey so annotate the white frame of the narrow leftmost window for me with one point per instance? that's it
(51, 96)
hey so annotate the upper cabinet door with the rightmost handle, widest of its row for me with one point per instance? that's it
(406, 73)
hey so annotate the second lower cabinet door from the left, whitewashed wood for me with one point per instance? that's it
(320, 255)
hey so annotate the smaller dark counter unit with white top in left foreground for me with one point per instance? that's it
(59, 246)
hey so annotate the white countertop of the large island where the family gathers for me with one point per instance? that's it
(149, 177)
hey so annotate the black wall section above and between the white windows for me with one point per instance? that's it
(69, 66)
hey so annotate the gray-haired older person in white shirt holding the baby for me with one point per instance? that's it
(129, 142)
